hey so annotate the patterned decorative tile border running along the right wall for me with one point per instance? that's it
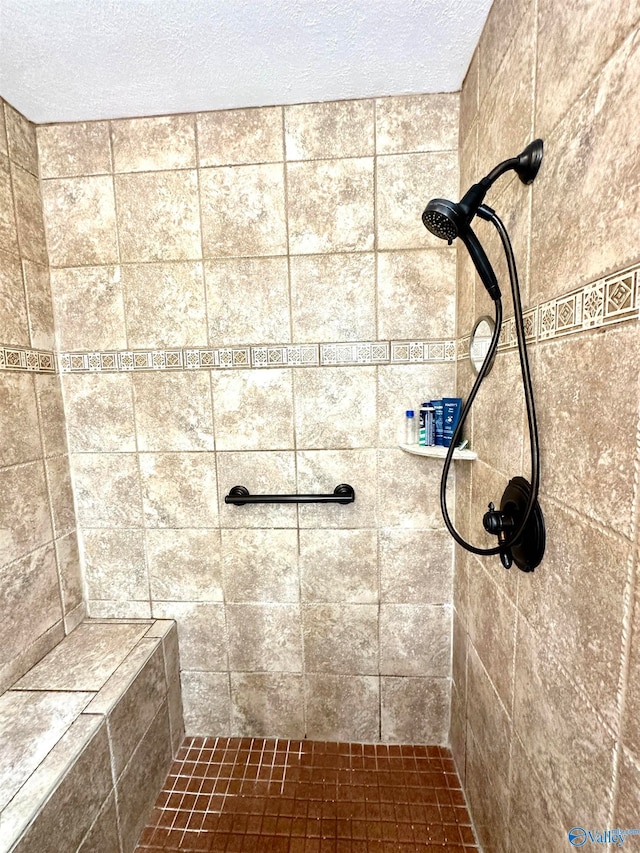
(605, 302)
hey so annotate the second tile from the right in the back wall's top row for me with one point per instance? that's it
(330, 129)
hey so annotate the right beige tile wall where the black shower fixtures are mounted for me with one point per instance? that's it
(545, 701)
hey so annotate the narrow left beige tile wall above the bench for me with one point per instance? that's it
(40, 582)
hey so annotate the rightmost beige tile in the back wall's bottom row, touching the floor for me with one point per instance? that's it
(414, 710)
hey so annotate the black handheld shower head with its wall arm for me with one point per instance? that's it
(447, 219)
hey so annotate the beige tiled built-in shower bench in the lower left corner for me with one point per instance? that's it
(87, 737)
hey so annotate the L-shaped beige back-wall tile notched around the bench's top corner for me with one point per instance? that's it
(201, 634)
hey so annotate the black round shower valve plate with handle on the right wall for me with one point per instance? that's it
(527, 552)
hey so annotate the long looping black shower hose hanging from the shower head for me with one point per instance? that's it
(490, 215)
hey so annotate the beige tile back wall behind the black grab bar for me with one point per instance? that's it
(187, 254)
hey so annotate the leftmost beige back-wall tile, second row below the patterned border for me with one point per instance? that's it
(107, 489)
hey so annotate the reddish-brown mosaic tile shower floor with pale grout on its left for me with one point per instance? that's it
(280, 796)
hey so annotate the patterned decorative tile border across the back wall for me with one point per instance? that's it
(285, 355)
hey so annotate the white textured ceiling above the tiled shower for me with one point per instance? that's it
(73, 60)
